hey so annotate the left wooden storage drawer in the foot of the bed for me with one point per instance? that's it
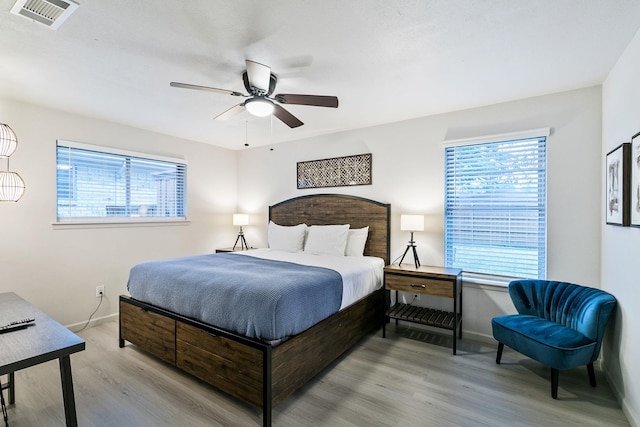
(150, 331)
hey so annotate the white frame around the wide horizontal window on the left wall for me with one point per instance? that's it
(107, 221)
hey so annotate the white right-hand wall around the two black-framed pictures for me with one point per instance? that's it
(621, 245)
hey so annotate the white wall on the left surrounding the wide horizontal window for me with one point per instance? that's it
(58, 269)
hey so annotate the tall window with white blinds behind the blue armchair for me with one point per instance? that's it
(495, 205)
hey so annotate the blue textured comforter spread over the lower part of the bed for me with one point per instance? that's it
(254, 297)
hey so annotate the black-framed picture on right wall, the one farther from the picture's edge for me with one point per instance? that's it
(618, 185)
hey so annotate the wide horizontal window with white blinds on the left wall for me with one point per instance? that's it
(97, 183)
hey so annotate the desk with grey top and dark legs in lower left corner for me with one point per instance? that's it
(42, 342)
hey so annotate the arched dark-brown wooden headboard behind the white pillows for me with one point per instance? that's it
(329, 209)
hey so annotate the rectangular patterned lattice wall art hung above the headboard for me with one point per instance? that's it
(335, 172)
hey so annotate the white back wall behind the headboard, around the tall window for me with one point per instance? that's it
(408, 172)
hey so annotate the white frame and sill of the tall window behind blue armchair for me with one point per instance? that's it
(484, 277)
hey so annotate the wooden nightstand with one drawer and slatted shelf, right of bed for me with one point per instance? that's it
(425, 280)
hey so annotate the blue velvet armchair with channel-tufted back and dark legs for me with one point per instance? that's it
(559, 324)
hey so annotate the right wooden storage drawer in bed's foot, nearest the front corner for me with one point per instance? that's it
(221, 362)
